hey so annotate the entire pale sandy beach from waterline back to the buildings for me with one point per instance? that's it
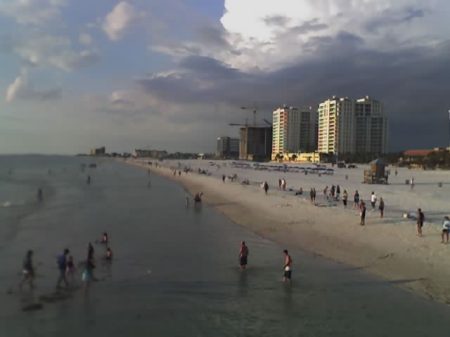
(388, 248)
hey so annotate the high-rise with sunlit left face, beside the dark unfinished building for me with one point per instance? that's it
(293, 130)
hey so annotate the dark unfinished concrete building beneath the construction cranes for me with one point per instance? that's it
(255, 143)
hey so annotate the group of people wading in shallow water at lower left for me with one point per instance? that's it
(66, 266)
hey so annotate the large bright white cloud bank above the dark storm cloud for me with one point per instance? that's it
(382, 25)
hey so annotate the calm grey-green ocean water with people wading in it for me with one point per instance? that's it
(175, 269)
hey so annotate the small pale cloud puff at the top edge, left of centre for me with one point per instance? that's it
(119, 20)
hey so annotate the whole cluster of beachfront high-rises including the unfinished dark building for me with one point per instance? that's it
(340, 127)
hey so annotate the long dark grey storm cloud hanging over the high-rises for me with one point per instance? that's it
(412, 83)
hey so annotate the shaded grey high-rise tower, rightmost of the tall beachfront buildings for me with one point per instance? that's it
(370, 126)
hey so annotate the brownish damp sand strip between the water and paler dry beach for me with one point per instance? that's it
(389, 251)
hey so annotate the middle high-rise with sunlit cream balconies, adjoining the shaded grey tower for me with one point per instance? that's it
(336, 126)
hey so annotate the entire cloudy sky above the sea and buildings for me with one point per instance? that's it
(172, 74)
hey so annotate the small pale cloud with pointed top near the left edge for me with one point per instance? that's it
(21, 88)
